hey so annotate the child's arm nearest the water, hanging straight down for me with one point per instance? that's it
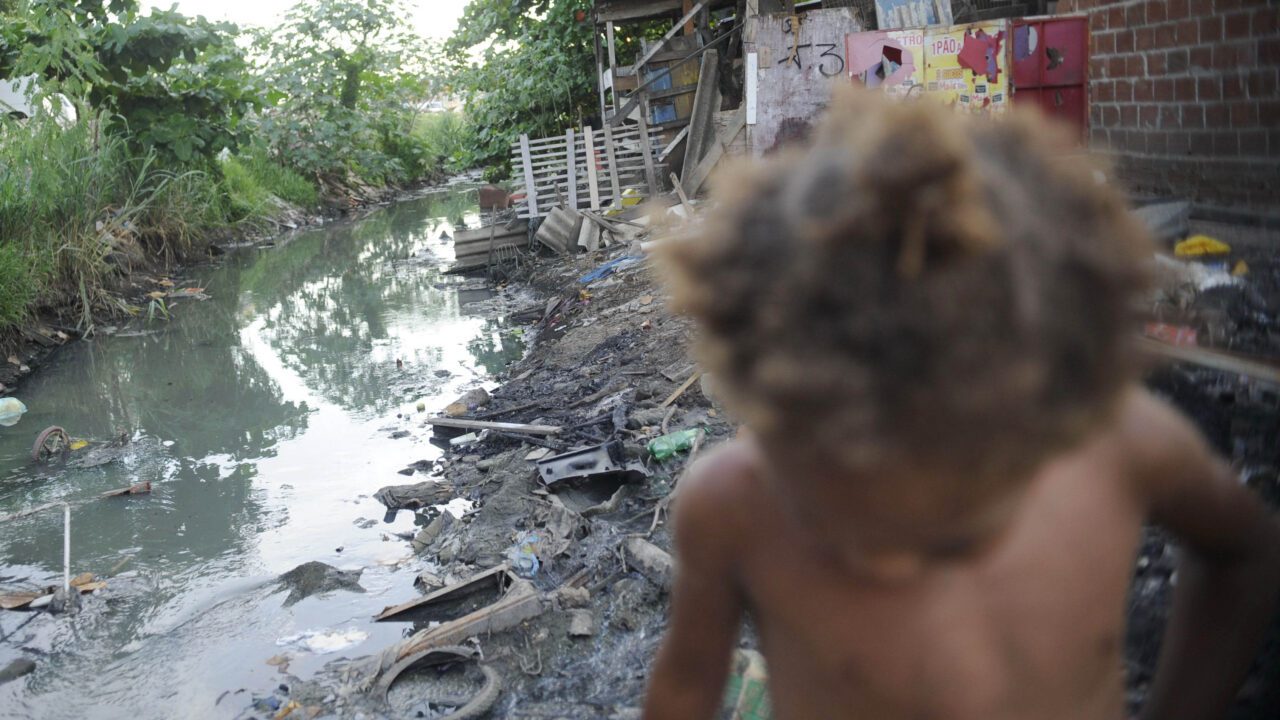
(688, 678)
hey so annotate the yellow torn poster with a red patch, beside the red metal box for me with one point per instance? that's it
(968, 66)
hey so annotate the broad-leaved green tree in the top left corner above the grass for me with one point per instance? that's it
(175, 85)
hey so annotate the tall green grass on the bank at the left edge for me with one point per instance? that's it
(79, 209)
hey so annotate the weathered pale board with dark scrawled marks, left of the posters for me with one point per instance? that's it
(799, 60)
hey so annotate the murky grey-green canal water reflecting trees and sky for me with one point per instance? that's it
(263, 417)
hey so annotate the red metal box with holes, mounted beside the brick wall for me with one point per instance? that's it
(1052, 60)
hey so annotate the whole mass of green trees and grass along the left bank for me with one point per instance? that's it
(177, 135)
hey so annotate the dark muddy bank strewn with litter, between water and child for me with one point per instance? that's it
(607, 367)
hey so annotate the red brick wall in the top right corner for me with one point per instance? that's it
(1187, 97)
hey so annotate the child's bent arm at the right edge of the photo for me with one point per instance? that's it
(1228, 576)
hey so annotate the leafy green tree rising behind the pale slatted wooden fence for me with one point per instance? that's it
(536, 72)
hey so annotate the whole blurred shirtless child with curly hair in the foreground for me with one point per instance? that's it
(925, 325)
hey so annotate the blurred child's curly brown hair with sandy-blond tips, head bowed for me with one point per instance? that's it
(917, 290)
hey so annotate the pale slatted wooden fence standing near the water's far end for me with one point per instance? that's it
(605, 166)
